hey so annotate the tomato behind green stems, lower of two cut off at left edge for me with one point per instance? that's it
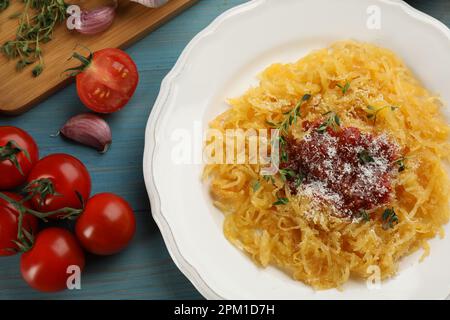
(9, 223)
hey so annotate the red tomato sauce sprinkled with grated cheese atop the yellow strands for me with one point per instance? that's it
(345, 168)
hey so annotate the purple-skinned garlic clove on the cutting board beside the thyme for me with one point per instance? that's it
(96, 21)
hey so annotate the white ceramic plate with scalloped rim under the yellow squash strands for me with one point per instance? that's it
(222, 61)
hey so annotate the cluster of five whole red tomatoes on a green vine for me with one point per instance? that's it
(55, 187)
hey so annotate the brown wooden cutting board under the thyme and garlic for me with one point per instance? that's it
(19, 91)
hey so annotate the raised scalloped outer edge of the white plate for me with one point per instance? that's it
(164, 94)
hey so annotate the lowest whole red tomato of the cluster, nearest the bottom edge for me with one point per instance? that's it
(45, 266)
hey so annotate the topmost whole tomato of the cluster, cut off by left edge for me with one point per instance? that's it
(18, 154)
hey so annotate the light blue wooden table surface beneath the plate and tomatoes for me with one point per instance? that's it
(145, 270)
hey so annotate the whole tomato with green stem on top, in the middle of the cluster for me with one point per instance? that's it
(63, 179)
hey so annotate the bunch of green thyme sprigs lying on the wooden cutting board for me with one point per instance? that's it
(36, 24)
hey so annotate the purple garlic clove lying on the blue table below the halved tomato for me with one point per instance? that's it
(90, 130)
